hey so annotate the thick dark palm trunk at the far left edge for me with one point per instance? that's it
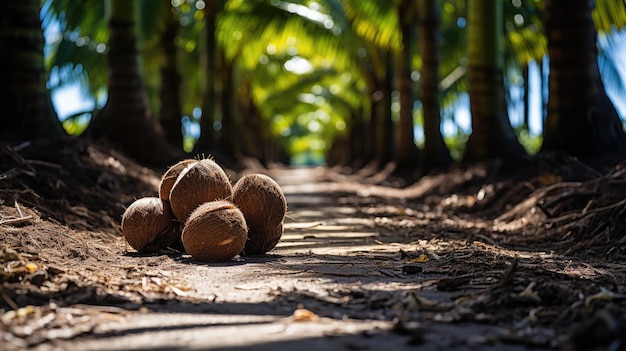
(27, 110)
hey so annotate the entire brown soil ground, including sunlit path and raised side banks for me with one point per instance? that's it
(517, 255)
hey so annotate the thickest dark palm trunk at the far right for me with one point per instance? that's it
(581, 119)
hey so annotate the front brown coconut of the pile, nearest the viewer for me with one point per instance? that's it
(215, 231)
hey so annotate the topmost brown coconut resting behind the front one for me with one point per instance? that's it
(197, 183)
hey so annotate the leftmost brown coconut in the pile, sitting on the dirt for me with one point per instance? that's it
(148, 225)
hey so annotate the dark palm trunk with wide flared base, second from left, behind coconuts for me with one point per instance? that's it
(126, 120)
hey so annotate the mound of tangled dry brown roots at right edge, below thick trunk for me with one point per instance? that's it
(586, 218)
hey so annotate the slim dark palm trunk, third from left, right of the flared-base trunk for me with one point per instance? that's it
(169, 92)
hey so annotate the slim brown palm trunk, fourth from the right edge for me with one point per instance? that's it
(407, 153)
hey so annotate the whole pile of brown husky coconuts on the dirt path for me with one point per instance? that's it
(215, 220)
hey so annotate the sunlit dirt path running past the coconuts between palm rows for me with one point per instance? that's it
(335, 282)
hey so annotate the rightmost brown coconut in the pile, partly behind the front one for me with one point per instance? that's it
(263, 204)
